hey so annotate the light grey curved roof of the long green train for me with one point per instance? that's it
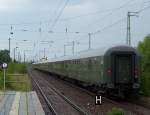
(92, 53)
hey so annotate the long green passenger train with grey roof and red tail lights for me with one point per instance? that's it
(113, 70)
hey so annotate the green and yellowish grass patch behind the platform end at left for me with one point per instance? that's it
(16, 78)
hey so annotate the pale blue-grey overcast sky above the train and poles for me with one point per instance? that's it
(106, 18)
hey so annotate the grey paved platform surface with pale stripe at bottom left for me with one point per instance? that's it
(20, 103)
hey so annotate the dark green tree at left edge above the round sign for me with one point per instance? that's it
(4, 56)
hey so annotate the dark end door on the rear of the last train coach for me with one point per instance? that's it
(123, 68)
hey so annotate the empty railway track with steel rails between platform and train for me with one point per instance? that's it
(55, 100)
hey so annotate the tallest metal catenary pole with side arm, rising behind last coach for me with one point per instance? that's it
(129, 14)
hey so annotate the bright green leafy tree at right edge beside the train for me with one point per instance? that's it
(144, 49)
